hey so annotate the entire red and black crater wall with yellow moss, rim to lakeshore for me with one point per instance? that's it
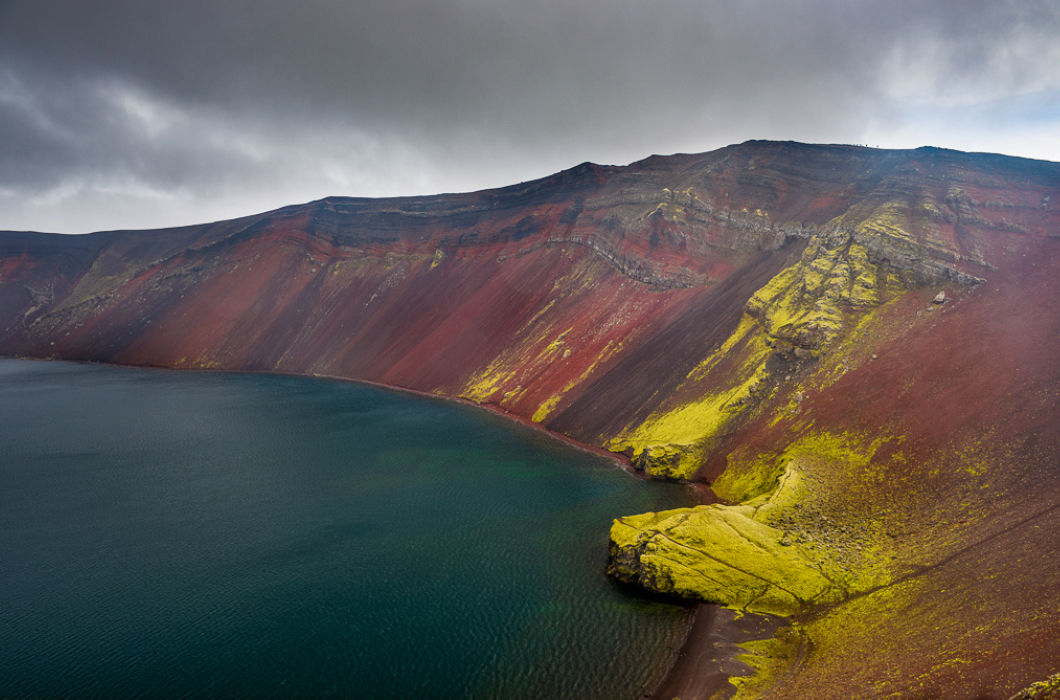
(856, 347)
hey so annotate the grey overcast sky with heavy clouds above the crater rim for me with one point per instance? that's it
(142, 114)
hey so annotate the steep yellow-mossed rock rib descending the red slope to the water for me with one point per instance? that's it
(788, 325)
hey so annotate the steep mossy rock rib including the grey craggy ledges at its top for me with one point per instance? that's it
(857, 262)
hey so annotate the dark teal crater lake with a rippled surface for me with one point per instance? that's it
(193, 535)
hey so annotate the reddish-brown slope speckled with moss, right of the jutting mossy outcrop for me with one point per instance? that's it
(971, 485)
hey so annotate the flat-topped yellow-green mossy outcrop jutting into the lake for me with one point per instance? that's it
(757, 556)
